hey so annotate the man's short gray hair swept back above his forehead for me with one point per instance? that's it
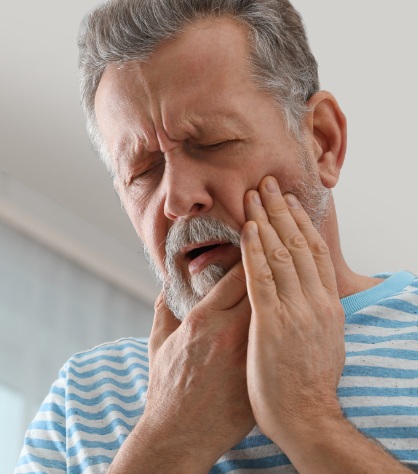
(119, 31)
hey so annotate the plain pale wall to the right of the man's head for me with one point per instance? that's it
(368, 58)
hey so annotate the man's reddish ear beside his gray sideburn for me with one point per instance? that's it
(326, 126)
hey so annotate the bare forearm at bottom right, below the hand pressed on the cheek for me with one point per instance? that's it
(334, 446)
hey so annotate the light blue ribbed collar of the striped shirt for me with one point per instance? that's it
(394, 283)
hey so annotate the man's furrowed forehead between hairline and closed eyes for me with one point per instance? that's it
(196, 86)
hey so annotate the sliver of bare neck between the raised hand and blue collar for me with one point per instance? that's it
(348, 282)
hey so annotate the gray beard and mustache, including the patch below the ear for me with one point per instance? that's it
(182, 295)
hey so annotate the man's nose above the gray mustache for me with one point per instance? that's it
(186, 187)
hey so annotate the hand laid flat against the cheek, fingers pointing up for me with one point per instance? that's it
(296, 340)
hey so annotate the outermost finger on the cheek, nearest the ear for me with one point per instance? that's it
(319, 249)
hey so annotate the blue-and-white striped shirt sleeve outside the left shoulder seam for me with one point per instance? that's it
(44, 448)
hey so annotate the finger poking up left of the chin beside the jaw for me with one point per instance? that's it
(164, 324)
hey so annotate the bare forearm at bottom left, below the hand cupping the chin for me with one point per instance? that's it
(147, 450)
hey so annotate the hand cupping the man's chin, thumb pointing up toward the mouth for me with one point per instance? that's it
(197, 399)
